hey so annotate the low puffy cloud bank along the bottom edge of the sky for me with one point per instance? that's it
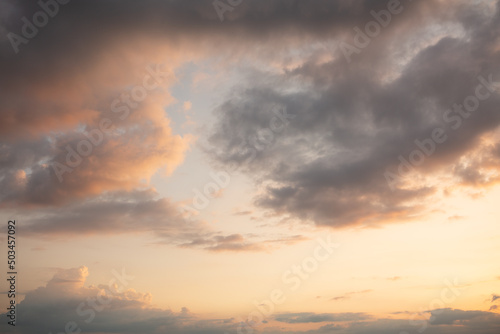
(117, 308)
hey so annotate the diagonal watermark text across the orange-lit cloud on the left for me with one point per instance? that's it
(122, 107)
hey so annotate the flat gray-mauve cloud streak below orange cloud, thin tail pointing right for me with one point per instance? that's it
(140, 211)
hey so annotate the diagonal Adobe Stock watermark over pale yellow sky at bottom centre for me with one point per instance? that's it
(292, 279)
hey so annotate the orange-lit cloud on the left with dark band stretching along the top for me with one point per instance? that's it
(73, 75)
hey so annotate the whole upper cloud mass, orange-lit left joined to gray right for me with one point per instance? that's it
(350, 125)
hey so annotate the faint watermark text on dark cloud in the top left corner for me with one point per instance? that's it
(40, 19)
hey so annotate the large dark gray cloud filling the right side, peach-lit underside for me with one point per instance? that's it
(353, 121)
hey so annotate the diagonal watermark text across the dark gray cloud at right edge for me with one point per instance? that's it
(455, 117)
